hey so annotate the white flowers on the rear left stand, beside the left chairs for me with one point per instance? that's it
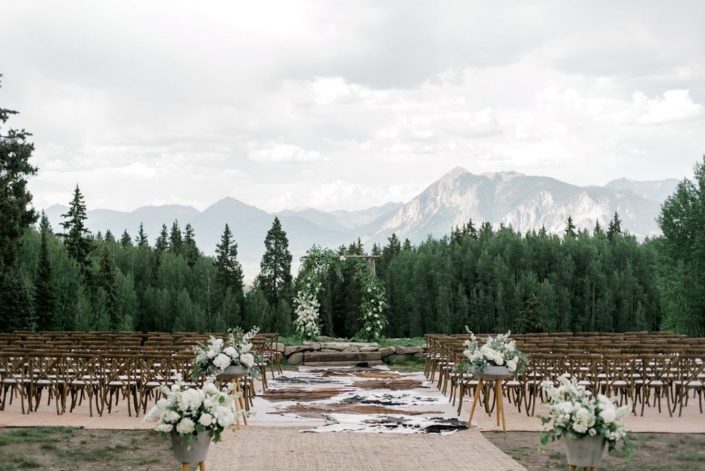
(216, 355)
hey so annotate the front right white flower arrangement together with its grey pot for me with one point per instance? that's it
(585, 423)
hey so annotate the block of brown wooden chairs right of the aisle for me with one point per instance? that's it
(640, 368)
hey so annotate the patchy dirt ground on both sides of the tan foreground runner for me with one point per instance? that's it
(64, 449)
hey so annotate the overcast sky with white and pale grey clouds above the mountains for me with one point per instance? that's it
(347, 104)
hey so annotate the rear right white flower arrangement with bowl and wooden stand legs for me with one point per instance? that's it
(494, 361)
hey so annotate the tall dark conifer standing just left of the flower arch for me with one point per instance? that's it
(275, 278)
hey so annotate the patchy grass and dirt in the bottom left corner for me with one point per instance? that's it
(64, 448)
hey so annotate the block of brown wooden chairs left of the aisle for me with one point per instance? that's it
(104, 373)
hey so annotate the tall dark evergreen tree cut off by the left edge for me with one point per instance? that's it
(16, 214)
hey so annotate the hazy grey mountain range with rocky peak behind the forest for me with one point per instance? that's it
(526, 202)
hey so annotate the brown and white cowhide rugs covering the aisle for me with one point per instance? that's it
(356, 400)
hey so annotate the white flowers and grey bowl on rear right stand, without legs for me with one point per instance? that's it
(498, 358)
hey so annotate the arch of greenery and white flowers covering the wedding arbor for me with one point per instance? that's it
(316, 265)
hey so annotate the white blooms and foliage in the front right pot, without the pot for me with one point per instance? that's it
(573, 410)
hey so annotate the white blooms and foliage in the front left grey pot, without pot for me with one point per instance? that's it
(188, 411)
